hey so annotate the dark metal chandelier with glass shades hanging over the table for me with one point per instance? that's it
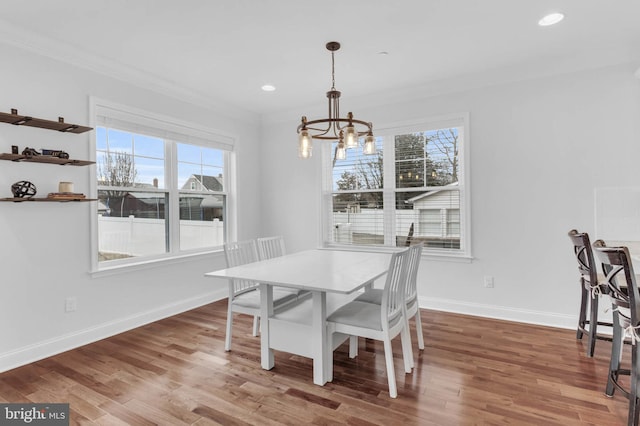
(346, 131)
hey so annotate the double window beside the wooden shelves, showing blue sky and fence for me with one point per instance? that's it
(162, 187)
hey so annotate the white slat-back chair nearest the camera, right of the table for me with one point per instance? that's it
(381, 322)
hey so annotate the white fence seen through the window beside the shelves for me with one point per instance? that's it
(133, 236)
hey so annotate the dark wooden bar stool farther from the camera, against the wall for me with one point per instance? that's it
(590, 290)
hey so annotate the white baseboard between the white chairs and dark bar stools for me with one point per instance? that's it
(550, 319)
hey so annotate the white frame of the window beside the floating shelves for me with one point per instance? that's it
(174, 131)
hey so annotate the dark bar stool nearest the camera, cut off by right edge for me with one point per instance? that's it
(625, 298)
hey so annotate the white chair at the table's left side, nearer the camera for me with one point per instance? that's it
(244, 296)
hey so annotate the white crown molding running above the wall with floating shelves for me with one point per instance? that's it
(15, 36)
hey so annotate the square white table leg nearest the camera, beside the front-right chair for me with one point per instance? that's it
(319, 337)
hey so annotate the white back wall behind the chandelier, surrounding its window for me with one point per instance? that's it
(538, 149)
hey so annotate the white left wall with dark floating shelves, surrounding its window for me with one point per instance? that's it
(45, 249)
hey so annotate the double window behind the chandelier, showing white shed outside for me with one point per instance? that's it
(412, 190)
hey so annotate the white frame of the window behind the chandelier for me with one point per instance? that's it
(388, 132)
